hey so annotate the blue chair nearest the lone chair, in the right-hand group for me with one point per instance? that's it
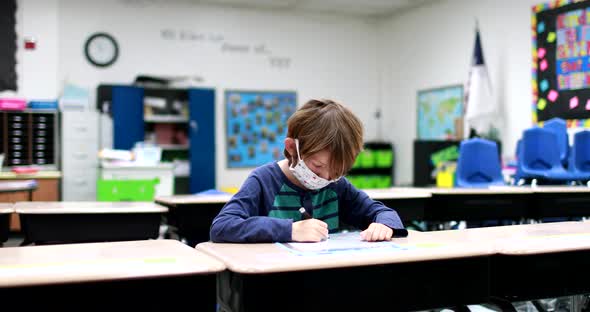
(540, 157)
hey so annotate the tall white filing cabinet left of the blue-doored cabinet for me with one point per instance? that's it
(79, 155)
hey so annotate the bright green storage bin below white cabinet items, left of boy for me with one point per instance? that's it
(126, 190)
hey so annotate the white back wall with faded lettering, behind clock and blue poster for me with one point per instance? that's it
(328, 56)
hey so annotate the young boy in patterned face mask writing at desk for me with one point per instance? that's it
(323, 141)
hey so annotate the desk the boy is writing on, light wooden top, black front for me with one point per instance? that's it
(428, 274)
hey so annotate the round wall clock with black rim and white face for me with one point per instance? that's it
(101, 49)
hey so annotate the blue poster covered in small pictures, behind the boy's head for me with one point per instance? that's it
(256, 126)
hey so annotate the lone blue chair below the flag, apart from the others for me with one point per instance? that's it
(478, 164)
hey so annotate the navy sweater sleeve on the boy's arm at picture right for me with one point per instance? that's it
(360, 210)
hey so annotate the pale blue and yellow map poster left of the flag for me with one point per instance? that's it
(438, 111)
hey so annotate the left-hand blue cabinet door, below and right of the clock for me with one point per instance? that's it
(127, 108)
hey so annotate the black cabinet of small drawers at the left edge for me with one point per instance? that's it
(30, 138)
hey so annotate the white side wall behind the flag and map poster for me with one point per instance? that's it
(432, 46)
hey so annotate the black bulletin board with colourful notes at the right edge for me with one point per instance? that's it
(561, 62)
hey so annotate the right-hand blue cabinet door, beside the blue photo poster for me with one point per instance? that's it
(202, 139)
